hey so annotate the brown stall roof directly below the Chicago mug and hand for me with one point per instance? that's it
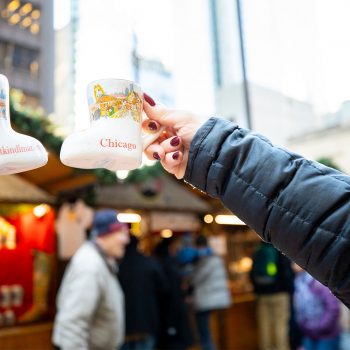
(171, 195)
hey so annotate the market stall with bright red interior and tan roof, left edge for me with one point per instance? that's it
(27, 251)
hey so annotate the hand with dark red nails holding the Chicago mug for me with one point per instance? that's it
(172, 148)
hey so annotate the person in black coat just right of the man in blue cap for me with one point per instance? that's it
(145, 288)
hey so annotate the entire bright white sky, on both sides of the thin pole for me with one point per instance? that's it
(297, 47)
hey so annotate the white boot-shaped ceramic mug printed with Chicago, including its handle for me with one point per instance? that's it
(115, 139)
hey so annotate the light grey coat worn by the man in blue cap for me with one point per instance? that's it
(90, 304)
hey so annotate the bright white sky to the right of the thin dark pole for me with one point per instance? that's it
(300, 48)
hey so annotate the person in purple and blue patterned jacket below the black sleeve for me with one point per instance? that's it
(317, 312)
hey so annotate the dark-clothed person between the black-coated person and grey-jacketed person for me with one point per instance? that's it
(175, 332)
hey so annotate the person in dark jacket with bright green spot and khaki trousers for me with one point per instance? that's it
(272, 278)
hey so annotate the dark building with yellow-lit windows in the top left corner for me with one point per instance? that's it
(27, 49)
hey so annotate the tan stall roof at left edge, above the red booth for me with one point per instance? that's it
(14, 189)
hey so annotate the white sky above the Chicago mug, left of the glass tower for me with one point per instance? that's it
(166, 32)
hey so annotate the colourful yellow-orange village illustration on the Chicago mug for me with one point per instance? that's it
(118, 105)
